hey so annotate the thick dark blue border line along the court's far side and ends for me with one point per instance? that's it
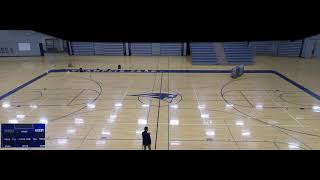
(311, 93)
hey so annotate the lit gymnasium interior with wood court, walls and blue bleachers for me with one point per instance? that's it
(100, 95)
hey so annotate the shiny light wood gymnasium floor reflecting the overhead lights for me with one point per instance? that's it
(210, 111)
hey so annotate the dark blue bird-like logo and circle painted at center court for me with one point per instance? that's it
(171, 97)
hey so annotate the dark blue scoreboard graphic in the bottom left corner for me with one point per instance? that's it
(22, 135)
